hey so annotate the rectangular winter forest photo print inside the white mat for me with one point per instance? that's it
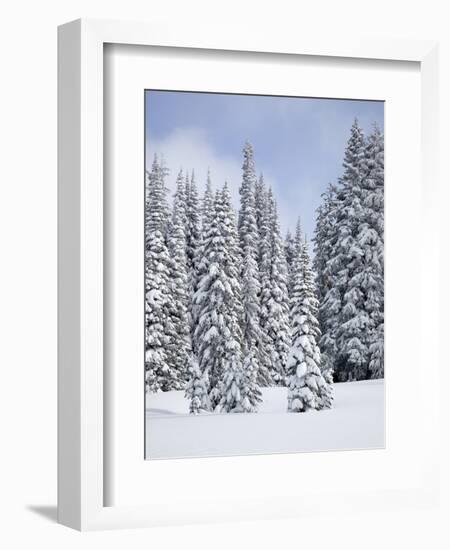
(264, 274)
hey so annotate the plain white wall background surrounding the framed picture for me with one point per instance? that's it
(28, 270)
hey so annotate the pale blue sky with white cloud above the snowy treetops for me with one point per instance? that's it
(298, 142)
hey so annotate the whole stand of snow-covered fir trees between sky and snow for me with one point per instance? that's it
(233, 307)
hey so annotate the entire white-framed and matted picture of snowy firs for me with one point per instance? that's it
(236, 292)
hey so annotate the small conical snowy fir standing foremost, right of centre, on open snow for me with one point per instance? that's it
(307, 388)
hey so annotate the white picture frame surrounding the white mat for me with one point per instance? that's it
(83, 485)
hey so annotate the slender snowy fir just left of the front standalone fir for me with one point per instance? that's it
(274, 296)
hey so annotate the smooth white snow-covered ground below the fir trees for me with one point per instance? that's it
(355, 422)
